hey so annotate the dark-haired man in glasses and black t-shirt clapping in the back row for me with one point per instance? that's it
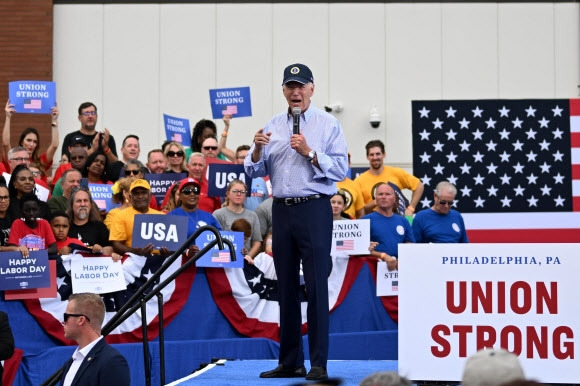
(88, 119)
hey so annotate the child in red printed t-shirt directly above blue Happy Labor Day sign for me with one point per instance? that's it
(32, 232)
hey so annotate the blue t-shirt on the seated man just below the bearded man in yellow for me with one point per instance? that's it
(389, 232)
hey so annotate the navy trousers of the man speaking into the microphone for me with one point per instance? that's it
(303, 233)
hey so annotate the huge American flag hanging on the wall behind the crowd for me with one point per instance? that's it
(515, 163)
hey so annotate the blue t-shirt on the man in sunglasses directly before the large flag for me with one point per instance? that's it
(432, 227)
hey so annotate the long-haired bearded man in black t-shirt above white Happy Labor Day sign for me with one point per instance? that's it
(85, 221)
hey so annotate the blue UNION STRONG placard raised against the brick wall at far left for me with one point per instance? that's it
(32, 96)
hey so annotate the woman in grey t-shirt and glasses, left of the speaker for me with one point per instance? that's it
(233, 209)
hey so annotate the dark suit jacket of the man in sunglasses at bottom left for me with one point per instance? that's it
(103, 366)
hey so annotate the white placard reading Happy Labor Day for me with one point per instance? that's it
(100, 275)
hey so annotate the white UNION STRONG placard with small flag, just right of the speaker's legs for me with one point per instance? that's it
(351, 237)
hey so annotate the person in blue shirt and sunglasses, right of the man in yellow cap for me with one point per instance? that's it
(189, 190)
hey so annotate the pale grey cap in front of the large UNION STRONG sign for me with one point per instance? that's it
(490, 367)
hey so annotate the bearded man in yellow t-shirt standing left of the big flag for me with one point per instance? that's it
(378, 173)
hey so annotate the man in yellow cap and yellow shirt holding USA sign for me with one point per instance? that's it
(122, 229)
